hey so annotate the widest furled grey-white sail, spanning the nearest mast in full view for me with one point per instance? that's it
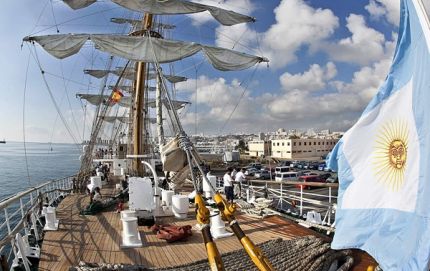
(147, 49)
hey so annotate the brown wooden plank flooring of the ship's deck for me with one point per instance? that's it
(97, 239)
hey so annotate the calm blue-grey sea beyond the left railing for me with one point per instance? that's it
(45, 162)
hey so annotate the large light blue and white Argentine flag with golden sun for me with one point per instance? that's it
(383, 161)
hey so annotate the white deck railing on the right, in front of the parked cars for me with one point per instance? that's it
(296, 198)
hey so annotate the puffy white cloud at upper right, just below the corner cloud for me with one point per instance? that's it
(363, 47)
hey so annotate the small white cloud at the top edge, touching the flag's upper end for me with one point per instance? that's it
(385, 8)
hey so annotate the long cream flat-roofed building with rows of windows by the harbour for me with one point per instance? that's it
(301, 148)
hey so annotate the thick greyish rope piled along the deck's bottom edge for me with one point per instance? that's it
(305, 253)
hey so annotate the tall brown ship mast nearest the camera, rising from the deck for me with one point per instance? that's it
(139, 127)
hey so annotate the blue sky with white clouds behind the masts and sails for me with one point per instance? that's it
(327, 59)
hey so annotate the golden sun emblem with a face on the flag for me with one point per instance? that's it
(391, 153)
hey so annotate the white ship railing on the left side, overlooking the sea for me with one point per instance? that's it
(16, 211)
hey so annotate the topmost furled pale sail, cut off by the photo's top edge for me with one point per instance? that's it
(172, 7)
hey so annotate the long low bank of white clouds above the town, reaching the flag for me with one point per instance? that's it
(295, 107)
